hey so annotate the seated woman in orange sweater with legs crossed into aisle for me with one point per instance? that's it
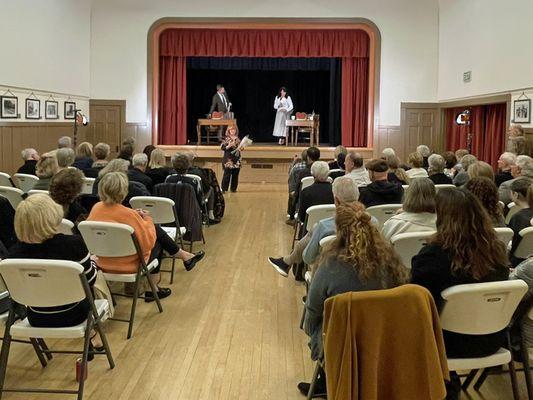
(112, 190)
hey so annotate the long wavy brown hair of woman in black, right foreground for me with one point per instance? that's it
(466, 233)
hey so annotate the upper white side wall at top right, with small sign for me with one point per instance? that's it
(492, 38)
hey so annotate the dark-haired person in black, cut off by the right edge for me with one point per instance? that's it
(522, 195)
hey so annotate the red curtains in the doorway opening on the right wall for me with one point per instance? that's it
(487, 128)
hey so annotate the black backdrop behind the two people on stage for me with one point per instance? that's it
(314, 84)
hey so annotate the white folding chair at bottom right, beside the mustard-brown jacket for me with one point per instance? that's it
(482, 309)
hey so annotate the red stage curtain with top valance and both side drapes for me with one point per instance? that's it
(176, 45)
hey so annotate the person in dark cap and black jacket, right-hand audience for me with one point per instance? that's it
(380, 191)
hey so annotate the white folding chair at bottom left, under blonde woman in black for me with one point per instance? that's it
(51, 283)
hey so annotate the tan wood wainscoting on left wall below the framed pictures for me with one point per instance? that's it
(42, 136)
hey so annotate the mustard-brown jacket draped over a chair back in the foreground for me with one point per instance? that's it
(384, 344)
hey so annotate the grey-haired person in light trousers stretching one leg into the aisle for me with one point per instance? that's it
(344, 191)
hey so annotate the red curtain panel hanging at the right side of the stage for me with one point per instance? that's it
(354, 101)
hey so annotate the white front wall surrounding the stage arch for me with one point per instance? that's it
(409, 30)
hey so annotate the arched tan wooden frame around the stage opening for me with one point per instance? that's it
(264, 23)
